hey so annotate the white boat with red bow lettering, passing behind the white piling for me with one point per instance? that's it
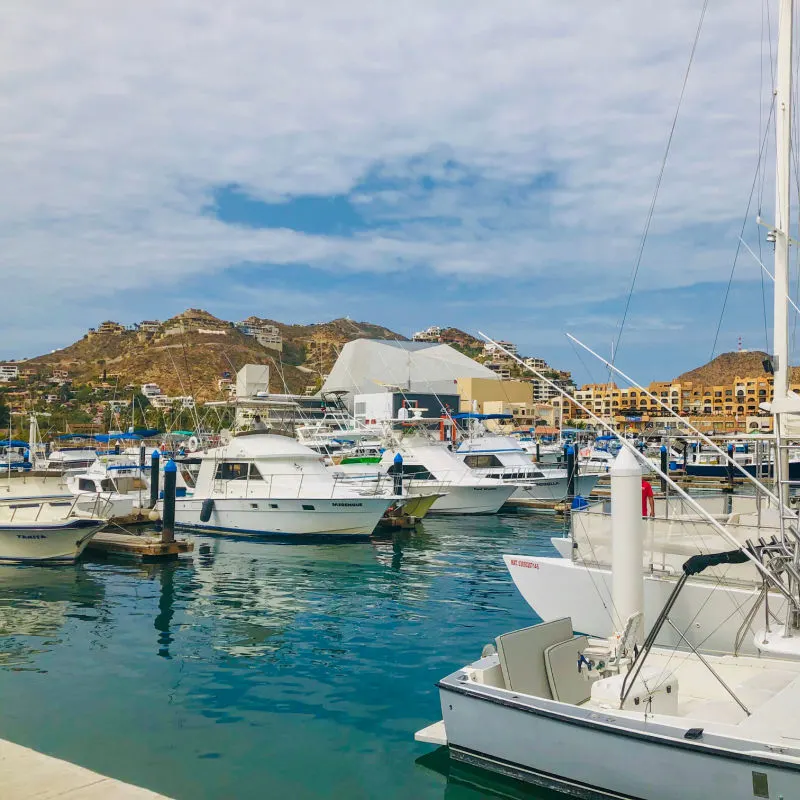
(578, 582)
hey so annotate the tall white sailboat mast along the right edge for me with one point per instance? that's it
(783, 131)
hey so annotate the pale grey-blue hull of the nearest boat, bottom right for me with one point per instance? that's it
(587, 754)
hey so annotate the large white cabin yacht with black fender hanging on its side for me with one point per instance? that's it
(268, 485)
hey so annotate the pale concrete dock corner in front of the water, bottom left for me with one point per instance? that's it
(28, 775)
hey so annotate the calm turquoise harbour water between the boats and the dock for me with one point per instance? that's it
(258, 670)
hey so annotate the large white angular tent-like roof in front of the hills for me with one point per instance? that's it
(366, 366)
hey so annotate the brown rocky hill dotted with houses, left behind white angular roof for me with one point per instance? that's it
(189, 353)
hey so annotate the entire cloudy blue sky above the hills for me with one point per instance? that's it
(481, 165)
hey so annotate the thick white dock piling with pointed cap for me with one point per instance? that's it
(627, 537)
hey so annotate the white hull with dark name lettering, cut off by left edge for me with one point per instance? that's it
(56, 543)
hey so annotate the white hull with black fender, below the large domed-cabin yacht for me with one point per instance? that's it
(334, 517)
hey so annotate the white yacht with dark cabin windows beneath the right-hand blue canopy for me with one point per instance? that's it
(502, 458)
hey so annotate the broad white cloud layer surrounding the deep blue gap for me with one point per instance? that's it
(119, 118)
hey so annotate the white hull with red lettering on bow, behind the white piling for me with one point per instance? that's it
(558, 587)
